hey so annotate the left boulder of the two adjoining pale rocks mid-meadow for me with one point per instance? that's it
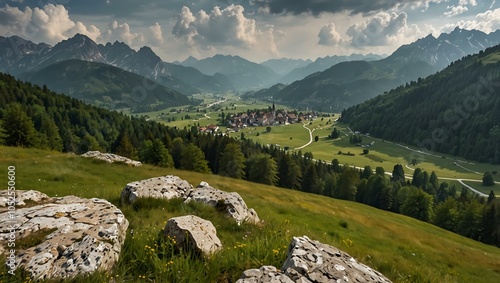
(166, 187)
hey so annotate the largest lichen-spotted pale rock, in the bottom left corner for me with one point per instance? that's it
(76, 235)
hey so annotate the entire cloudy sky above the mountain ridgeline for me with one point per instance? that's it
(257, 30)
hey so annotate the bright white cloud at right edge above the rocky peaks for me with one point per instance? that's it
(488, 21)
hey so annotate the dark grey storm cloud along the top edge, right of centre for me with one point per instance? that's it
(317, 7)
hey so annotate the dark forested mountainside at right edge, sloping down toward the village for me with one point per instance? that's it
(456, 111)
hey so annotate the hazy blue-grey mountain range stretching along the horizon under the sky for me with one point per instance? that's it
(331, 83)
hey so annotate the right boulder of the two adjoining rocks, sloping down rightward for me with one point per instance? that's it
(232, 202)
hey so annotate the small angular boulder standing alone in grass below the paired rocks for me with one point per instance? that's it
(195, 232)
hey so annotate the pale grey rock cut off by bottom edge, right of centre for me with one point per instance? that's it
(312, 261)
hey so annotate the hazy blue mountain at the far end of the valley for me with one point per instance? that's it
(245, 75)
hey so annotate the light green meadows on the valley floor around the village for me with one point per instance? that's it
(382, 153)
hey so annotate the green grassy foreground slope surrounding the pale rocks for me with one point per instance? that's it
(404, 249)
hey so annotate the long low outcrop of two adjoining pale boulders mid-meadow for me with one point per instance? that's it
(169, 187)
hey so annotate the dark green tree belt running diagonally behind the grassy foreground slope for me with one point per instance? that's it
(35, 117)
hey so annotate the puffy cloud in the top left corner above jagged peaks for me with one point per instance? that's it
(49, 24)
